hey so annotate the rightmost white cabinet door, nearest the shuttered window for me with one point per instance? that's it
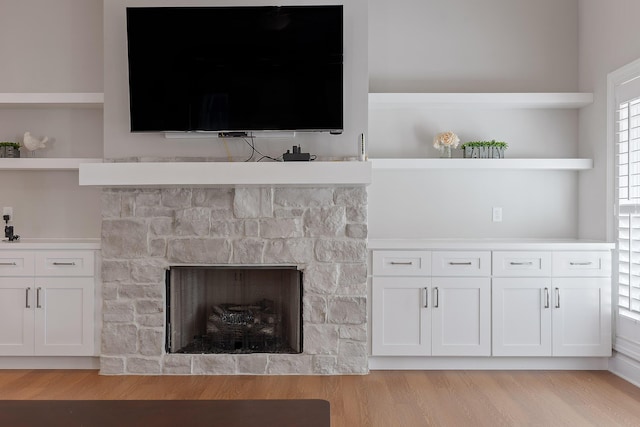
(581, 317)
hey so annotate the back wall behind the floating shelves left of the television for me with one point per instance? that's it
(52, 46)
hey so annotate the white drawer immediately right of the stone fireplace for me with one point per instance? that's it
(401, 263)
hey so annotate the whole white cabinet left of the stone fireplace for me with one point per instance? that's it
(47, 302)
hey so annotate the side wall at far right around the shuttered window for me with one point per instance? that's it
(608, 40)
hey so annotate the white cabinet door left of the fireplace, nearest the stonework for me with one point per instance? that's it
(64, 316)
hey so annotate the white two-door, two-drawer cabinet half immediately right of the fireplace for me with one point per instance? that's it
(431, 303)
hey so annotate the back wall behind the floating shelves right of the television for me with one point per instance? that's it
(471, 46)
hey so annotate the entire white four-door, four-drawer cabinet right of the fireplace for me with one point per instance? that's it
(491, 303)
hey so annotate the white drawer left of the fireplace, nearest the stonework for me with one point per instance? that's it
(65, 263)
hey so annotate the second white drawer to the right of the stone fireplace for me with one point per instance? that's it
(458, 263)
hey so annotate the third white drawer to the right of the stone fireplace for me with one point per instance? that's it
(522, 264)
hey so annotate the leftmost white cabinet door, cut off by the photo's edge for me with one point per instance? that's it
(16, 316)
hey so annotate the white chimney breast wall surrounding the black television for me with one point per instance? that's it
(120, 143)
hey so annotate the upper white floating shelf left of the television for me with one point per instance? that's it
(75, 99)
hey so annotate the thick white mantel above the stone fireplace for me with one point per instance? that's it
(223, 174)
